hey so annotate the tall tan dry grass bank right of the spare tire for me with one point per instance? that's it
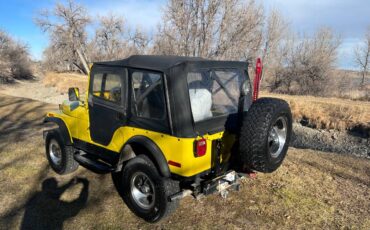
(328, 113)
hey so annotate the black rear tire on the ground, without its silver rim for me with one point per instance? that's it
(163, 188)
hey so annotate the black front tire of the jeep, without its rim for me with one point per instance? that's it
(67, 163)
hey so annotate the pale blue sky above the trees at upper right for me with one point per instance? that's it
(348, 18)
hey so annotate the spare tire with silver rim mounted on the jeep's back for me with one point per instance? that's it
(265, 134)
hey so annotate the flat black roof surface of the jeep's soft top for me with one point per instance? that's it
(164, 63)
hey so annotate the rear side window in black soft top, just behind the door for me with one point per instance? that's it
(148, 94)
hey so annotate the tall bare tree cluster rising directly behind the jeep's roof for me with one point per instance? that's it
(230, 29)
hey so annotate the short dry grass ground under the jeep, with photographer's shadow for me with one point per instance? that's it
(310, 190)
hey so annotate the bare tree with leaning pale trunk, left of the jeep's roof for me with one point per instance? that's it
(66, 25)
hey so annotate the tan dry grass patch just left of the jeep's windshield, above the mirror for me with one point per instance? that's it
(63, 81)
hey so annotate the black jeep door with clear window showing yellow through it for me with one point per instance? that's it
(107, 102)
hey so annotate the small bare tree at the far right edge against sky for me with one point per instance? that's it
(362, 56)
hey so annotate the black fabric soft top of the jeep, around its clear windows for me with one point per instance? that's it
(179, 121)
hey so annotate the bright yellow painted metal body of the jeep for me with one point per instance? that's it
(179, 150)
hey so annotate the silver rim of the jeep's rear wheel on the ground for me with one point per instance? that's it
(142, 190)
